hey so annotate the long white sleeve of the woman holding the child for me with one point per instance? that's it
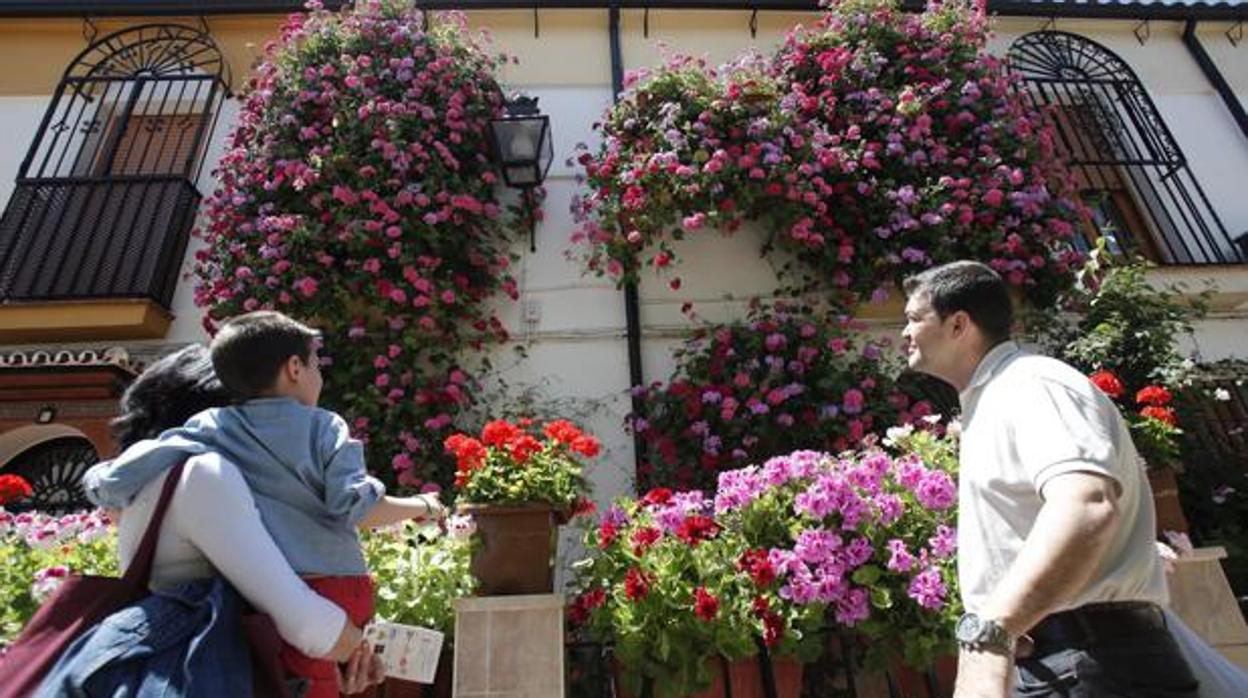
(215, 511)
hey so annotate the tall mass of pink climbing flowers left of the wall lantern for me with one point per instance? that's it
(358, 194)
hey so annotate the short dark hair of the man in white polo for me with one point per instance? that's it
(968, 287)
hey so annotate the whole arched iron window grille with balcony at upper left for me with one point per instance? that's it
(107, 197)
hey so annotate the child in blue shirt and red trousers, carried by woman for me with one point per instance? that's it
(305, 470)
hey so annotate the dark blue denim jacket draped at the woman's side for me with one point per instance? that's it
(184, 642)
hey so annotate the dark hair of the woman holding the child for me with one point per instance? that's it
(169, 394)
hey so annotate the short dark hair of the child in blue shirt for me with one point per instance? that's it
(250, 350)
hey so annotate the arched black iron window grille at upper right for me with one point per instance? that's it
(1124, 157)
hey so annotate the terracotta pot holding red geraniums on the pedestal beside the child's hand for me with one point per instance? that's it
(517, 549)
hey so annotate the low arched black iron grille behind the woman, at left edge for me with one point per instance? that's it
(54, 471)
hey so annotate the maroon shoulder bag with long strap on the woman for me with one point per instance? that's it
(78, 605)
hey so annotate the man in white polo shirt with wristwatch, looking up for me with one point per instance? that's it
(1056, 525)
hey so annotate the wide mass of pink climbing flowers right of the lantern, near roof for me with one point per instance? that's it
(873, 145)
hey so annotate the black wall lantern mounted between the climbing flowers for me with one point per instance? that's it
(521, 140)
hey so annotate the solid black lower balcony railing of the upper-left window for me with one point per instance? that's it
(95, 239)
